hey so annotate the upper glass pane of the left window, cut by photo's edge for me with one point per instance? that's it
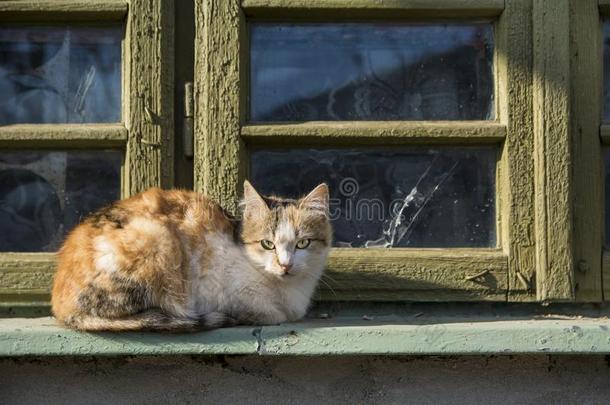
(60, 75)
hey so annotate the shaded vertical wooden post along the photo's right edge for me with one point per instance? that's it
(582, 88)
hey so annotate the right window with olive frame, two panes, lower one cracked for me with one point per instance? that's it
(408, 110)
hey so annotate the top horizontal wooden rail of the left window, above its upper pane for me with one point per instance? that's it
(52, 11)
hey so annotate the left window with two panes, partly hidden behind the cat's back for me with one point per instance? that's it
(83, 121)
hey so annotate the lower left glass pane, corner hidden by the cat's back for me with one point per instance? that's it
(43, 195)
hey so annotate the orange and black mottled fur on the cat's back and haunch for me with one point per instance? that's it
(143, 241)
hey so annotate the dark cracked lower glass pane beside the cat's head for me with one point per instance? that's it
(414, 197)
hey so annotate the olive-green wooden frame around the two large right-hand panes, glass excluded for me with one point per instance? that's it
(528, 230)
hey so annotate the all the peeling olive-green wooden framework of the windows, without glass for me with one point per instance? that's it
(548, 129)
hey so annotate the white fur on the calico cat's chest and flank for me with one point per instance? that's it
(236, 284)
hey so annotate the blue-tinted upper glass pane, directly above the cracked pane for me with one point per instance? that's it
(303, 72)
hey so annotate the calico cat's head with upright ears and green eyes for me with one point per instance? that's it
(287, 237)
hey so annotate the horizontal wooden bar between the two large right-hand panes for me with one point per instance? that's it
(382, 132)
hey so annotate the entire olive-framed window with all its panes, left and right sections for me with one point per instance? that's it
(465, 141)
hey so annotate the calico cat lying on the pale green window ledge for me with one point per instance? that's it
(174, 261)
